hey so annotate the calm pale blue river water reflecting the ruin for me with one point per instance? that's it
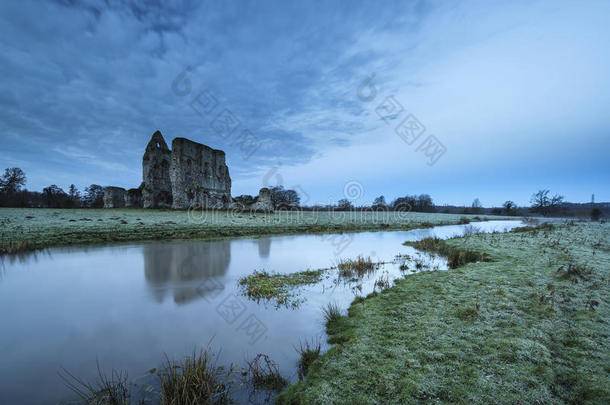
(128, 306)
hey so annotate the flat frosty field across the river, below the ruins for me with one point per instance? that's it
(28, 229)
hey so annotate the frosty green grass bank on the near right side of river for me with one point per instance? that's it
(529, 326)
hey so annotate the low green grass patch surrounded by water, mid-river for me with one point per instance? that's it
(279, 288)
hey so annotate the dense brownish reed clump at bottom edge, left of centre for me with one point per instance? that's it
(195, 380)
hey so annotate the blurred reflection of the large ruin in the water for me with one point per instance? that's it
(189, 269)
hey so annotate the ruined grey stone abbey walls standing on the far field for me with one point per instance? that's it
(188, 175)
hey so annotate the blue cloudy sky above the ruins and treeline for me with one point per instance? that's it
(456, 99)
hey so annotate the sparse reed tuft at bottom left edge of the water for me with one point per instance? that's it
(113, 389)
